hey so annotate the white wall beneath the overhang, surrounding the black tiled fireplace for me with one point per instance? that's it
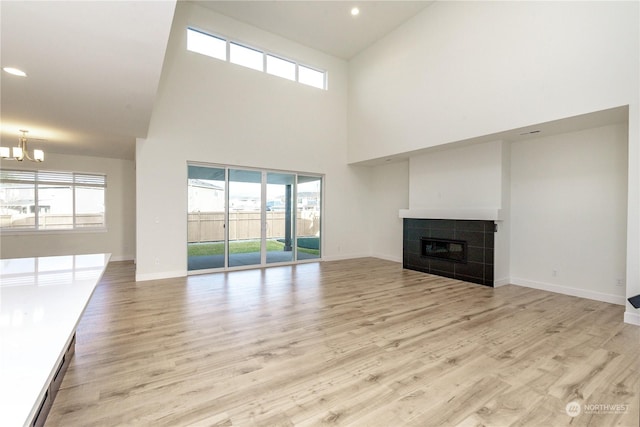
(563, 201)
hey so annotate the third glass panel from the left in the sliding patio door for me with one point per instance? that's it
(279, 211)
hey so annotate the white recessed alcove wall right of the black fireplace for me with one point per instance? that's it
(569, 212)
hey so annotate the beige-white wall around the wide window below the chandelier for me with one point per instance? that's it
(119, 239)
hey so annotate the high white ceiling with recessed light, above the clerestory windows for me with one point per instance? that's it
(327, 26)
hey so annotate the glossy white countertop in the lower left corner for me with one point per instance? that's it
(41, 302)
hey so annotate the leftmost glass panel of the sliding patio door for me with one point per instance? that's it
(206, 218)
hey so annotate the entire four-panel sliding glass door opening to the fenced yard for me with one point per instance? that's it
(241, 218)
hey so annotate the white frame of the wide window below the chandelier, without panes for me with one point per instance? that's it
(74, 180)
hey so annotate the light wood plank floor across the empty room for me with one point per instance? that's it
(359, 342)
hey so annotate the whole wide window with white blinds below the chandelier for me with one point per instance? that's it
(51, 200)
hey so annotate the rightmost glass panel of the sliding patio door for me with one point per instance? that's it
(309, 192)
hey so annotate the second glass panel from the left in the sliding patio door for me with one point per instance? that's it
(245, 217)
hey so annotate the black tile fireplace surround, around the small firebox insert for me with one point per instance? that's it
(479, 235)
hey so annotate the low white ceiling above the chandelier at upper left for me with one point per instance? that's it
(92, 73)
